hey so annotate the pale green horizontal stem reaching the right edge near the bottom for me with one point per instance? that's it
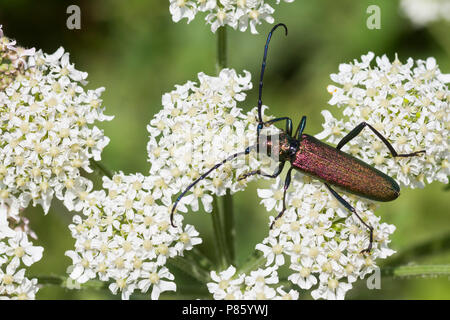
(417, 271)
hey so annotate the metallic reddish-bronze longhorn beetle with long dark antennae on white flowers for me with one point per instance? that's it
(319, 160)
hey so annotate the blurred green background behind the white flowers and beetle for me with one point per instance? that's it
(135, 50)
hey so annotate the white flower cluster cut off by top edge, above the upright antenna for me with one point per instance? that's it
(238, 14)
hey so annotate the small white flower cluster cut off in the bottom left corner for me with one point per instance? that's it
(16, 252)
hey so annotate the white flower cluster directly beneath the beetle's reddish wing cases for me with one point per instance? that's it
(321, 239)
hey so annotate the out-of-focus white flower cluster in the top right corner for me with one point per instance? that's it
(424, 12)
